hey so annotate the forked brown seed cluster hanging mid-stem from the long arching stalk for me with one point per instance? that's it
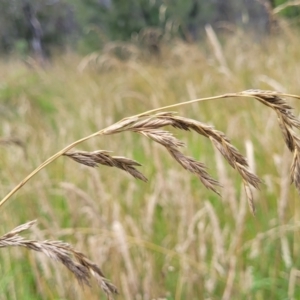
(149, 126)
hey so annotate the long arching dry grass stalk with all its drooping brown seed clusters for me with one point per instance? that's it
(149, 124)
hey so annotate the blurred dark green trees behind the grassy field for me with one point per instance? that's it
(42, 25)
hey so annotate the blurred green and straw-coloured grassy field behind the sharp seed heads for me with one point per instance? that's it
(169, 238)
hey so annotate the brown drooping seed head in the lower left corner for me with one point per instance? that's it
(76, 262)
